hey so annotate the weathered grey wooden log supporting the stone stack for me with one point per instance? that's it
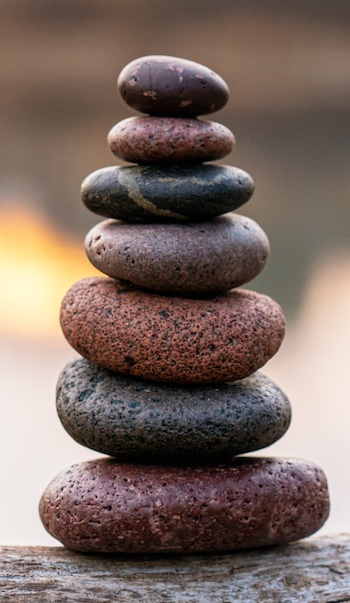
(316, 570)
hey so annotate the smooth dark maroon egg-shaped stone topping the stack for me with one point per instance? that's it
(164, 85)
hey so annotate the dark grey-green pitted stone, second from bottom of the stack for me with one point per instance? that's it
(136, 419)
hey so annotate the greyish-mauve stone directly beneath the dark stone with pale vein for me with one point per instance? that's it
(178, 258)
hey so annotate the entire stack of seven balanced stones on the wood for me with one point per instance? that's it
(167, 384)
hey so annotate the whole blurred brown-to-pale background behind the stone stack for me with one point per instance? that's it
(287, 65)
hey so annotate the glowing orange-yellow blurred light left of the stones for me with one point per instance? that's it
(37, 265)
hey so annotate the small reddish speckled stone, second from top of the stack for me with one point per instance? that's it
(155, 139)
